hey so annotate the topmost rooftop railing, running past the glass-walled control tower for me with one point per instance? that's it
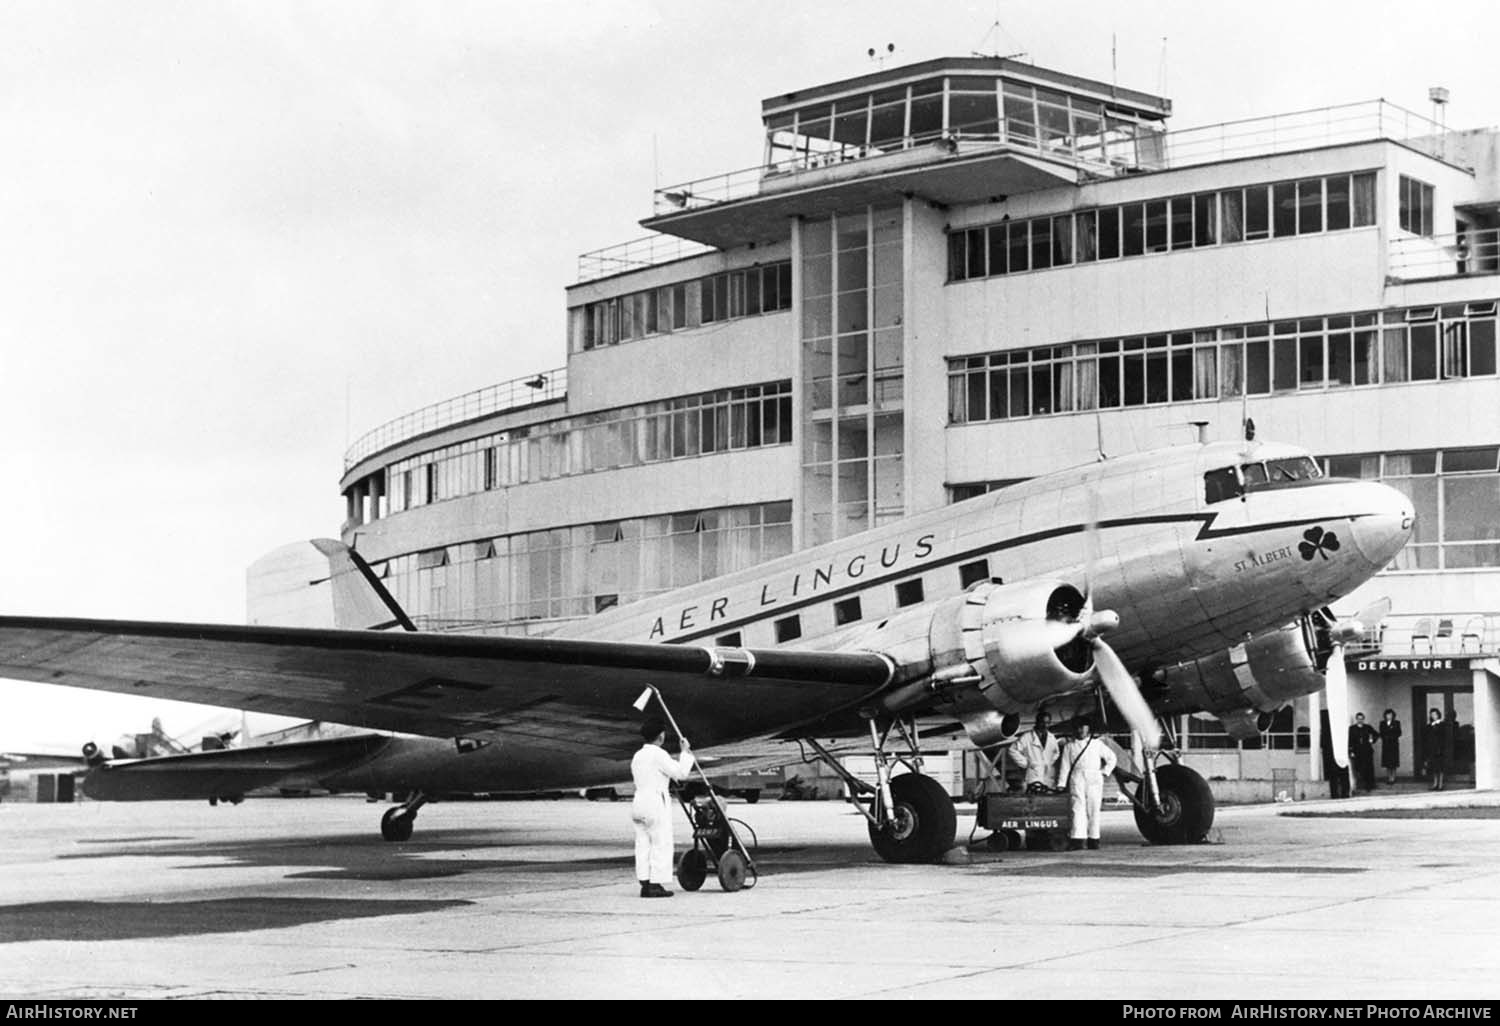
(1144, 151)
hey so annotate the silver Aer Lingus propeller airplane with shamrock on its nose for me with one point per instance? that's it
(1210, 569)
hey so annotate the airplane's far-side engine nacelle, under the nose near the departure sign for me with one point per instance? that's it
(1261, 676)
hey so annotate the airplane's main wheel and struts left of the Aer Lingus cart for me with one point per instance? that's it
(911, 817)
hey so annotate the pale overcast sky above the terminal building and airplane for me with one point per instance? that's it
(236, 236)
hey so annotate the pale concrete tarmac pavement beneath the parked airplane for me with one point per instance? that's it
(284, 898)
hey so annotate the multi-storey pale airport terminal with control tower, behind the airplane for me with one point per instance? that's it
(956, 275)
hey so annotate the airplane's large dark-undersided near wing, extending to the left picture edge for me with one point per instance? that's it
(541, 691)
